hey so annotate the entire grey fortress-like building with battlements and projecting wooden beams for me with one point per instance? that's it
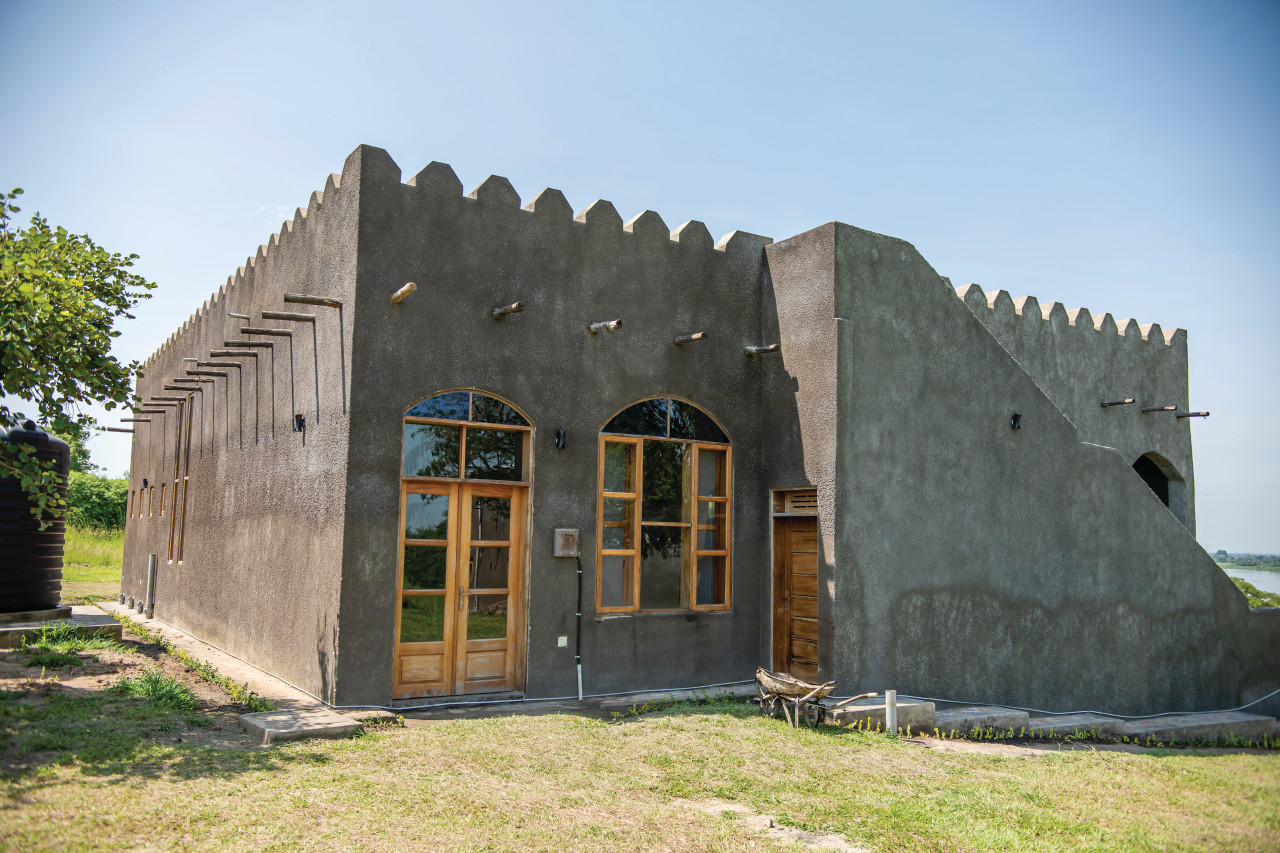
(813, 455)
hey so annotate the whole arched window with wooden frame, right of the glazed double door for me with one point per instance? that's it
(664, 510)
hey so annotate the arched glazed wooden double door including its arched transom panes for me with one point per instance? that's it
(464, 523)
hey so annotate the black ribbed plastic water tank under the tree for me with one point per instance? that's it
(31, 560)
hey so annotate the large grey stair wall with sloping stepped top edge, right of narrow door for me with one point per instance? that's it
(980, 563)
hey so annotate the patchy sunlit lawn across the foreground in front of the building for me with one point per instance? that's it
(566, 783)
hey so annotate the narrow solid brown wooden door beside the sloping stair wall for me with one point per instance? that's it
(796, 597)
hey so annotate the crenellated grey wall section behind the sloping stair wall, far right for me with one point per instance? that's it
(1082, 362)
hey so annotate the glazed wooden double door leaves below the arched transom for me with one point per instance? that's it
(459, 624)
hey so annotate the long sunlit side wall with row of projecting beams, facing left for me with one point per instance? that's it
(264, 530)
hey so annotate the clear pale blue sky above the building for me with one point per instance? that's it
(1114, 156)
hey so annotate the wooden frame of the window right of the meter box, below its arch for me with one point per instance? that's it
(689, 563)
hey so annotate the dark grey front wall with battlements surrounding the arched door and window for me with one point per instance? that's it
(470, 254)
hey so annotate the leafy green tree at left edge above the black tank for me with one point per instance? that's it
(61, 295)
